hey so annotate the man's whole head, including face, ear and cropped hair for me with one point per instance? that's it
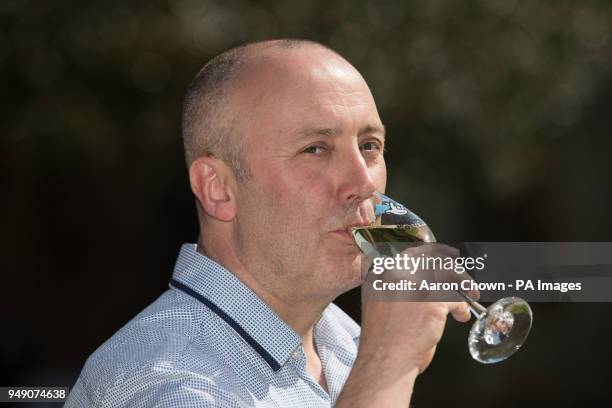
(306, 123)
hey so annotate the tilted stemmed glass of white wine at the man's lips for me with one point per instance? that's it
(499, 330)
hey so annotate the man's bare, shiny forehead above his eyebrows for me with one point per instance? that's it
(287, 91)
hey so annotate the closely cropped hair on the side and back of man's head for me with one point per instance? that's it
(210, 124)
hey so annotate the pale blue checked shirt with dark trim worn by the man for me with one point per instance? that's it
(209, 341)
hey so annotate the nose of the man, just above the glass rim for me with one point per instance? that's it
(357, 182)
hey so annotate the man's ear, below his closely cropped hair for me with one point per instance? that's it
(214, 185)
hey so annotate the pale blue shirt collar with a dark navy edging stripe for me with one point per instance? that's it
(224, 294)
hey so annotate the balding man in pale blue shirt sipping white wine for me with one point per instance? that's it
(284, 146)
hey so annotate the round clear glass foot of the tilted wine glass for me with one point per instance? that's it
(501, 331)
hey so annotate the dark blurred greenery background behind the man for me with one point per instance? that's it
(498, 121)
